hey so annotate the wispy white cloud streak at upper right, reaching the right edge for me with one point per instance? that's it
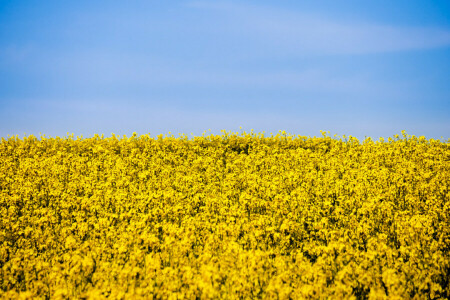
(307, 33)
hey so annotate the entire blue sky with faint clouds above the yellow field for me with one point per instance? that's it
(360, 68)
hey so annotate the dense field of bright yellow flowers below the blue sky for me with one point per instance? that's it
(224, 216)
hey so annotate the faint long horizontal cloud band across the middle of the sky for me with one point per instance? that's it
(143, 71)
